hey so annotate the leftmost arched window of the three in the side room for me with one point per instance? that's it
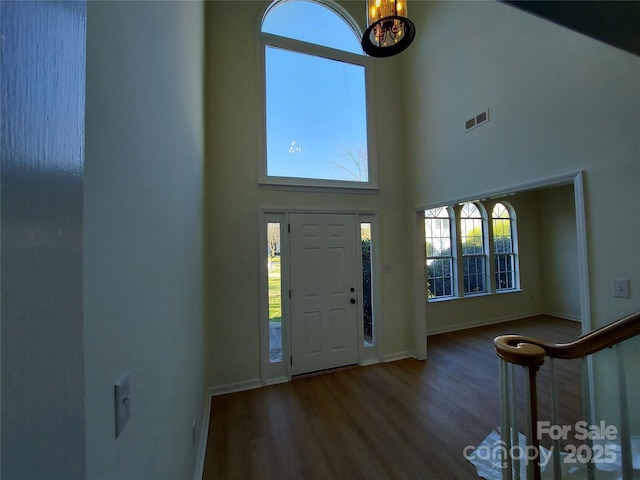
(437, 226)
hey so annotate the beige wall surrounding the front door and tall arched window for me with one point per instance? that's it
(234, 196)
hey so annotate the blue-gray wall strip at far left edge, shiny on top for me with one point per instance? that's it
(42, 139)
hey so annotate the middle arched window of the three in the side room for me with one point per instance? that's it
(473, 250)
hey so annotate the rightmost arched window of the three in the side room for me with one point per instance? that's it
(504, 247)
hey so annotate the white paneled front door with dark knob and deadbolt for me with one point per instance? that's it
(324, 310)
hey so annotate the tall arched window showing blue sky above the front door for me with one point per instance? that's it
(315, 96)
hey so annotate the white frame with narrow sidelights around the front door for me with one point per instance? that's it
(279, 372)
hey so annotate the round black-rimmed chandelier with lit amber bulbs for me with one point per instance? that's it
(389, 30)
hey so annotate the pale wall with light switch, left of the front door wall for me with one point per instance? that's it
(143, 230)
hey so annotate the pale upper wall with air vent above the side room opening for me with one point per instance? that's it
(559, 102)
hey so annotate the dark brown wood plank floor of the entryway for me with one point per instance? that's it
(401, 420)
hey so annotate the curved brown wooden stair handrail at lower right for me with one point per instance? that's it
(530, 351)
